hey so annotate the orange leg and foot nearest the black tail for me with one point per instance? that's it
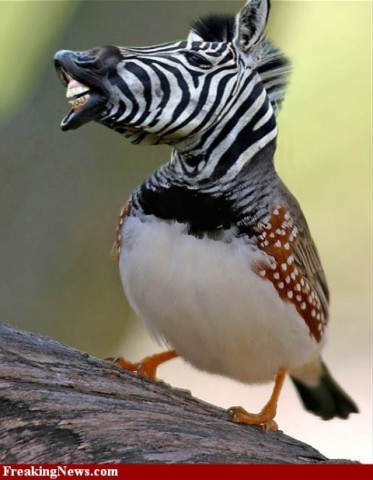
(268, 413)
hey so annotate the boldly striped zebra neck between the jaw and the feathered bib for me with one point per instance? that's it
(245, 127)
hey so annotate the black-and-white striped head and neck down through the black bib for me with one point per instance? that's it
(213, 97)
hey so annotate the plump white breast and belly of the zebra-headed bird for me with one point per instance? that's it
(203, 299)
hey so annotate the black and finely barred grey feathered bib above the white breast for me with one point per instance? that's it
(211, 207)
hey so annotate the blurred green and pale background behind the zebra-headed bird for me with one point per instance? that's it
(60, 193)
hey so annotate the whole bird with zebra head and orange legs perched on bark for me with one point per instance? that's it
(214, 252)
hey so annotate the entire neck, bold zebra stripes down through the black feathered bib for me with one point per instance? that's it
(218, 181)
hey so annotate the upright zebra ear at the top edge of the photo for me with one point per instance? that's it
(250, 23)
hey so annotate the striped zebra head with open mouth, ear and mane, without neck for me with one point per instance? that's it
(175, 92)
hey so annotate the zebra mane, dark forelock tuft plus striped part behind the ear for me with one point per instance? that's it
(271, 64)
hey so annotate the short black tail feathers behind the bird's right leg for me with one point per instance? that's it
(327, 399)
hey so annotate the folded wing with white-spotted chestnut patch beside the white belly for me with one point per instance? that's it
(293, 265)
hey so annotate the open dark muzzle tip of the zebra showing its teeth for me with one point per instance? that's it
(86, 97)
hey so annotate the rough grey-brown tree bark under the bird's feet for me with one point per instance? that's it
(58, 405)
